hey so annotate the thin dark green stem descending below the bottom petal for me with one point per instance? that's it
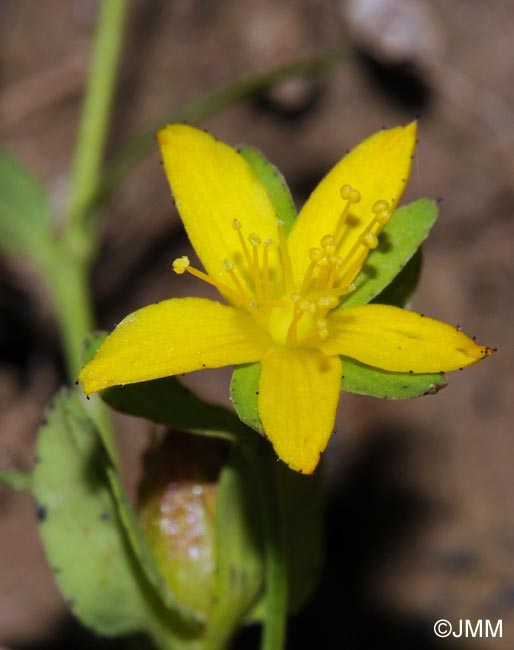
(275, 621)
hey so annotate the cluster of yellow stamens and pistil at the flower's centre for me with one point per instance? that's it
(294, 313)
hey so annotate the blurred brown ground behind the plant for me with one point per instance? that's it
(420, 517)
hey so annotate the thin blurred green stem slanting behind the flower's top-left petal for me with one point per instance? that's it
(137, 147)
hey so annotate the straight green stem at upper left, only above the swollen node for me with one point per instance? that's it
(97, 108)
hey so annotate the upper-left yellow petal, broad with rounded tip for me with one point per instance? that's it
(213, 185)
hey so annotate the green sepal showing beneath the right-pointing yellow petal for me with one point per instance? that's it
(365, 380)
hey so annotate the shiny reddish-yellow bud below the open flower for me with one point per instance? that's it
(177, 506)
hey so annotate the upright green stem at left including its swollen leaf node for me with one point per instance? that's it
(67, 272)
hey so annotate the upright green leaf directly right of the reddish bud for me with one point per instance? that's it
(239, 544)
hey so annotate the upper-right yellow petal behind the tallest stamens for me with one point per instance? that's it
(378, 168)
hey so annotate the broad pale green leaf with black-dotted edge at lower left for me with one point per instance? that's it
(83, 538)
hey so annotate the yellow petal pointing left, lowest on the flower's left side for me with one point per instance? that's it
(172, 337)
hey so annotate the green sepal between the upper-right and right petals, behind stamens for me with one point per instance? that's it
(398, 242)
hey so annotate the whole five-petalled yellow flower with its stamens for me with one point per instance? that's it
(285, 294)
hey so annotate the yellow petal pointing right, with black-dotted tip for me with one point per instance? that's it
(399, 340)
